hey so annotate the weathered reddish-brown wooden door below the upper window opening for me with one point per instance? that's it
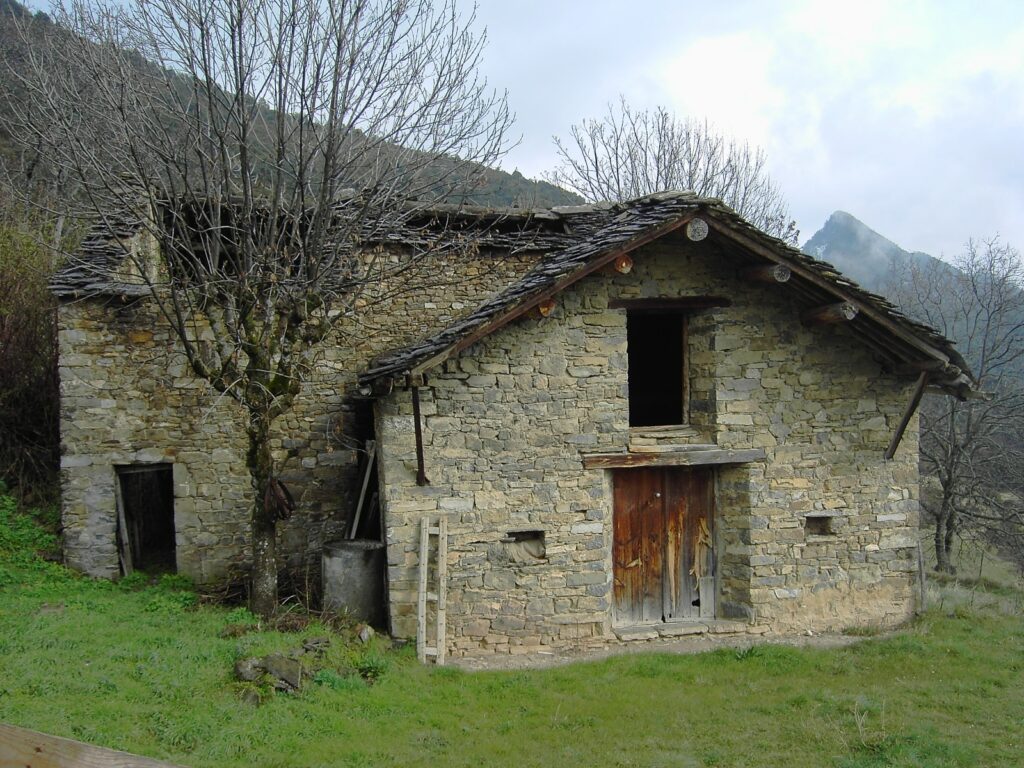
(663, 521)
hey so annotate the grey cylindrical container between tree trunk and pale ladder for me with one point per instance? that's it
(354, 579)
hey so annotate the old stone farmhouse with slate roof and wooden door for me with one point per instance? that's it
(620, 421)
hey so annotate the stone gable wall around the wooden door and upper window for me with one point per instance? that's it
(506, 423)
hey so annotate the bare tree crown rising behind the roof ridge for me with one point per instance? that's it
(630, 153)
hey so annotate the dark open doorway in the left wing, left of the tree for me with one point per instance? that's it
(146, 519)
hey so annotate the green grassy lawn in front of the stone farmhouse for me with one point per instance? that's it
(147, 669)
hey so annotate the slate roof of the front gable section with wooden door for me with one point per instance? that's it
(611, 229)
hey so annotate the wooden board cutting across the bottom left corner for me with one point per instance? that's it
(20, 747)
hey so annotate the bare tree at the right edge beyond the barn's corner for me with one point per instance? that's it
(974, 450)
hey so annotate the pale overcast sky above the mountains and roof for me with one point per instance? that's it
(908, 115)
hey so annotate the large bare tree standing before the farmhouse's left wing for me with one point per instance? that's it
(260, 142)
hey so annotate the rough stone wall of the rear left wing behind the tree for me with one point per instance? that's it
(130, 398)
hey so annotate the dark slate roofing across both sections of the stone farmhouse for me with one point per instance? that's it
(573, 239)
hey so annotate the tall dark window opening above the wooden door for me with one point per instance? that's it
(657, 345)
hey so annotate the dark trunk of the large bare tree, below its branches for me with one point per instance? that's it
(264, 593)
